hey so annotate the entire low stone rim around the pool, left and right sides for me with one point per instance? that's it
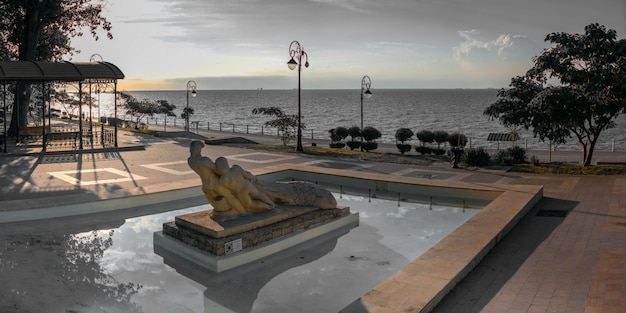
(418, 286)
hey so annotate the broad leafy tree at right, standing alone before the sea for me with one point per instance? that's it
(576, 88)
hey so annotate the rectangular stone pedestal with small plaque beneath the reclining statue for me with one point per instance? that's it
(221, 245)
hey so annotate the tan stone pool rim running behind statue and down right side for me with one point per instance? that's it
(423, 283)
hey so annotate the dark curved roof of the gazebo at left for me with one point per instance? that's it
(59, 71)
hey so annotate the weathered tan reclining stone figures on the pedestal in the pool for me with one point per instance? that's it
(233, 191)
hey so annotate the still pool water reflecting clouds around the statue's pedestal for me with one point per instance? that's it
(96, 264)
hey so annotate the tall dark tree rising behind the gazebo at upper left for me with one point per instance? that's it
(35, 30)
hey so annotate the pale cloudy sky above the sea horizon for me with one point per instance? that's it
(245, 44)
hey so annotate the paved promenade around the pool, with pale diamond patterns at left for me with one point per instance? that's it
(567, 255)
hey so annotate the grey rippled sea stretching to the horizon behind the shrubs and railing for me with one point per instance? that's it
(450, 110)
